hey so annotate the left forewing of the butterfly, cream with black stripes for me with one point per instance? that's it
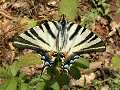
(40, 38)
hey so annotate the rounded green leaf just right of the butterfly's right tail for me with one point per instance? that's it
(82, 63)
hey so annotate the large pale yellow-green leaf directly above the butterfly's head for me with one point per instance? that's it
(69, 8)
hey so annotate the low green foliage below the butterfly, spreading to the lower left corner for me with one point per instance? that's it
(52, 78)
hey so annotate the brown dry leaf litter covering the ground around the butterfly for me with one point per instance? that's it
(15, 14)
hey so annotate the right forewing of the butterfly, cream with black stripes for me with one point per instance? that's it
(81, 40)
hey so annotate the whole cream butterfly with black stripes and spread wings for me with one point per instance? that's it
(67, 39)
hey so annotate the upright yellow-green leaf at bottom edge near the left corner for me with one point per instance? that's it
(12, 85)
